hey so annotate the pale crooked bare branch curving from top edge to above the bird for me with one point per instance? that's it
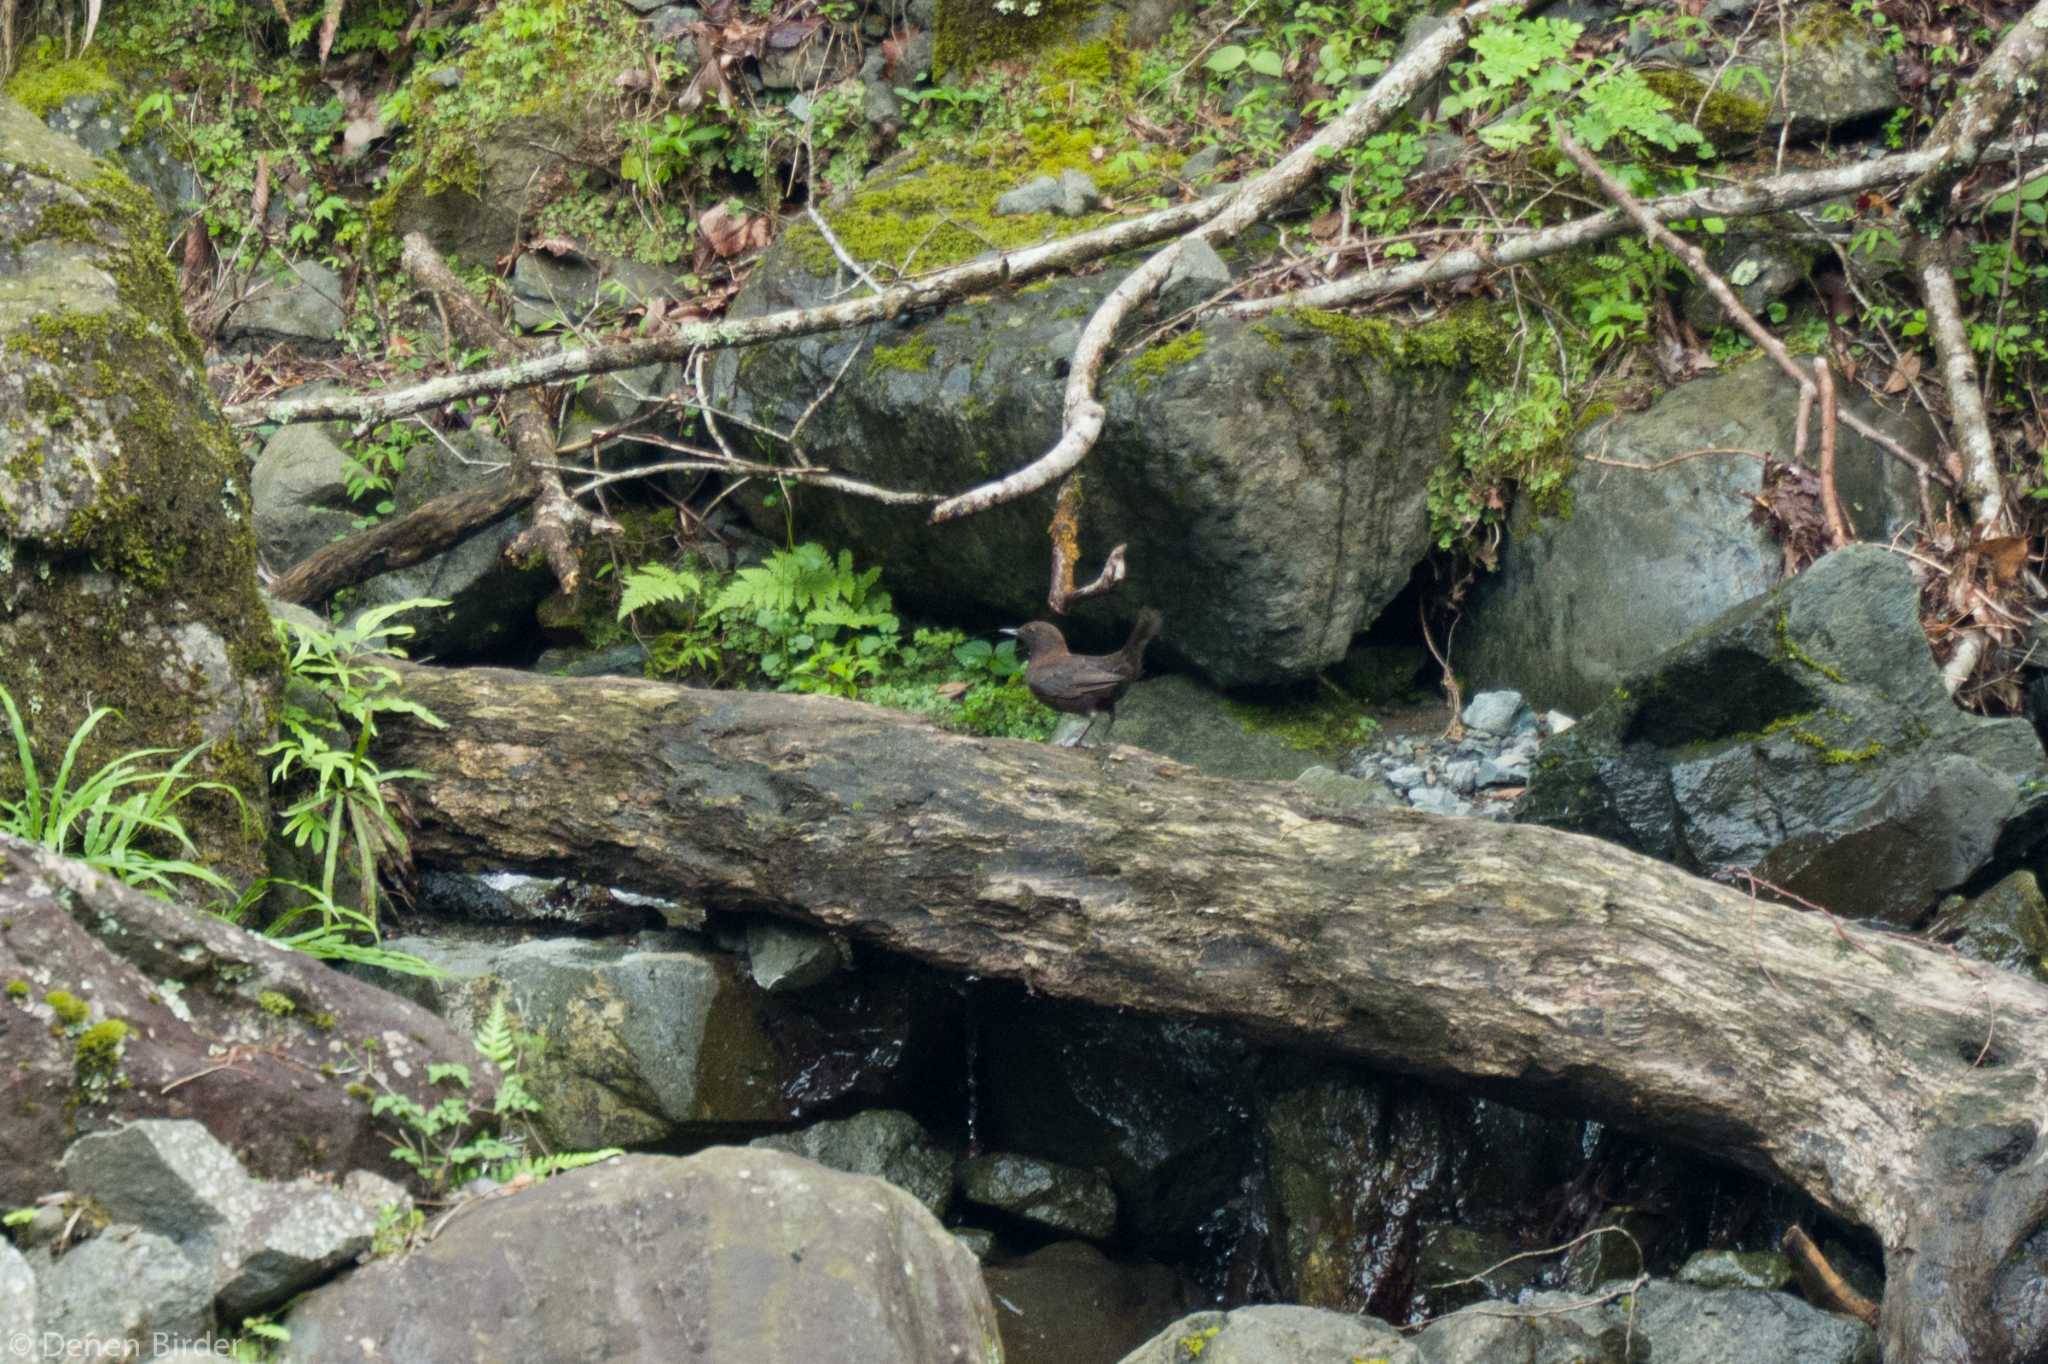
(1246, 206)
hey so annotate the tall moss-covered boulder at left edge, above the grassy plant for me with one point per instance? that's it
(128, 577)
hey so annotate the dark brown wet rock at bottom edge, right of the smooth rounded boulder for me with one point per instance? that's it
(1070, 1302)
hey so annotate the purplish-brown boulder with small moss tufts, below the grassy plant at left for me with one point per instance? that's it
(118, 1007)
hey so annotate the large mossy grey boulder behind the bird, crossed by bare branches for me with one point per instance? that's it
(1269, 478)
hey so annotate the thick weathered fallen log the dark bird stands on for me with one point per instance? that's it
(1885, 1078)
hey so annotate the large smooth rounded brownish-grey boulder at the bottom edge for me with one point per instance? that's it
(730, 1254)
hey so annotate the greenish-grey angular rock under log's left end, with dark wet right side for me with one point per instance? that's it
(654, 1037)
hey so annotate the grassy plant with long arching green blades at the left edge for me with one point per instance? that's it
(112, 816)
